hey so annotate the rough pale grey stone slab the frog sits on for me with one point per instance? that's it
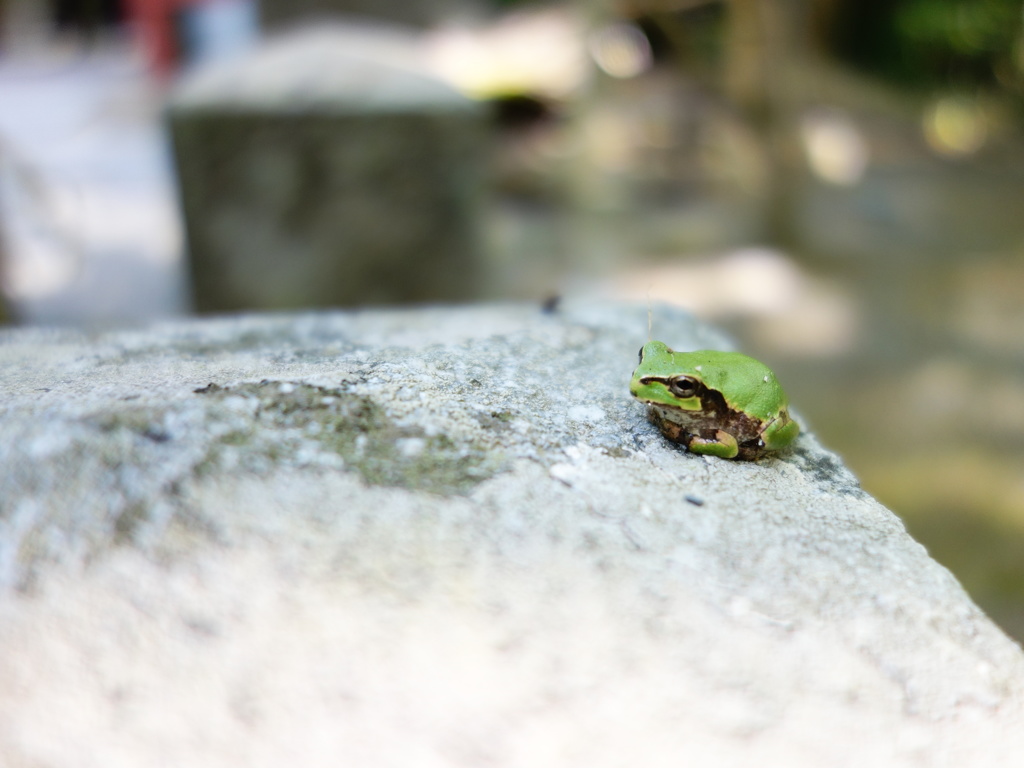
(450, 538)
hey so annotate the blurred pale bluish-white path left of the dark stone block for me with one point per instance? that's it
(88, 210)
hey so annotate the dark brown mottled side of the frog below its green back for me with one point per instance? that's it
(680, 425)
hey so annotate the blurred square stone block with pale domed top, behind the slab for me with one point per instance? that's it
(328, 168)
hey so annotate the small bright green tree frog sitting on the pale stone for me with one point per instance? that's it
(716, 404)
